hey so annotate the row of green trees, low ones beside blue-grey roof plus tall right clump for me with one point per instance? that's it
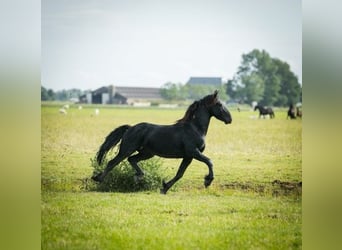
(260, 78)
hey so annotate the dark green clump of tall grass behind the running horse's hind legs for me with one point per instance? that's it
(121, 178)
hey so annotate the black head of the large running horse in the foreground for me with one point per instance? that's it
(217, 109)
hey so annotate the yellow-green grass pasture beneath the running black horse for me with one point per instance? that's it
(254, 201)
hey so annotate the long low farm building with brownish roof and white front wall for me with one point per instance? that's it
(121, 95)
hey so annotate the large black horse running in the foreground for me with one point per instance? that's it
(184, 139)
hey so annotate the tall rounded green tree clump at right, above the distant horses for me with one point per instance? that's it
(264, 79)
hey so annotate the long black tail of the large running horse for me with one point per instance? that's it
(111, 140)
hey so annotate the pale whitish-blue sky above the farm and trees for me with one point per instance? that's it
(87, 44)
